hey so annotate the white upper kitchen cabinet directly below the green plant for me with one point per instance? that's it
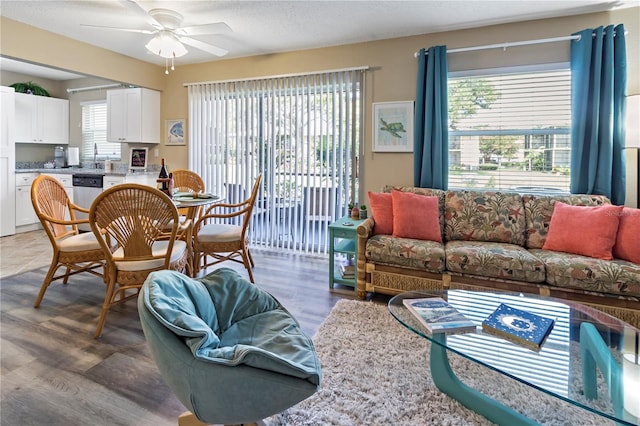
(41, 119)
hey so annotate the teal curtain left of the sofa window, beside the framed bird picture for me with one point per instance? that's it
(431, 134)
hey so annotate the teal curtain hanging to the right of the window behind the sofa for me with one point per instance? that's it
(598, 87)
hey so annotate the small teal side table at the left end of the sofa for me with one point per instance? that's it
(343, 249)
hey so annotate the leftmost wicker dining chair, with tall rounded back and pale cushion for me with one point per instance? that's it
(76, 252)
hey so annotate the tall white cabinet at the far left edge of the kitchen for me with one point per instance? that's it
(7, 161)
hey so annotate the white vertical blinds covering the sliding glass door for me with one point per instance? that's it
(302, 133)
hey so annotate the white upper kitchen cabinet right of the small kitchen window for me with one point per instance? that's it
(133, 115)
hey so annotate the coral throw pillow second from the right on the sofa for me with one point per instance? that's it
(588, 231)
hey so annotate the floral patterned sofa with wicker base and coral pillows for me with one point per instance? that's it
(494, 240)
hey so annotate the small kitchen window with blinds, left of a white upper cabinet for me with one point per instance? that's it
(94, 134)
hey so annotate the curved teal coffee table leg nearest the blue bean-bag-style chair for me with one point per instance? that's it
(445, 380)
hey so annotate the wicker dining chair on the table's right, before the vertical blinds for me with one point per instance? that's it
(225, 241)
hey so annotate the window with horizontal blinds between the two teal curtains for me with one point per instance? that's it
(511, 130)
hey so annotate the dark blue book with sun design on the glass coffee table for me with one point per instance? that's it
(521, 327)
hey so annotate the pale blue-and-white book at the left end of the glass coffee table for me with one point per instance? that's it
(438, 316)
